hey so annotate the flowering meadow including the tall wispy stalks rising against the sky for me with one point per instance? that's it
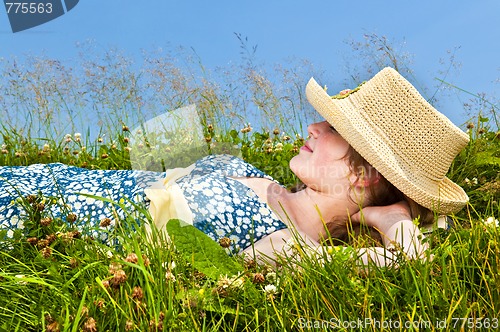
(55, 278)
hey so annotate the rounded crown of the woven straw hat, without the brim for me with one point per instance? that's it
(416, 132)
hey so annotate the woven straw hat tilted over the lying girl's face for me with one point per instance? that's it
(399, 133)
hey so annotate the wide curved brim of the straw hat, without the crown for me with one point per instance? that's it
(440, 195)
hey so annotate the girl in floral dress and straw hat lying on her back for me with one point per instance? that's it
(379, 160)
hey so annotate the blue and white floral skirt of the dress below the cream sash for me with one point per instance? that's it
(91, 195)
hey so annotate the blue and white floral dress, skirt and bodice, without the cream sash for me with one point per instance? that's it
(220, 205)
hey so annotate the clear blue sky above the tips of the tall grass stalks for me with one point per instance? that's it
(314, 30)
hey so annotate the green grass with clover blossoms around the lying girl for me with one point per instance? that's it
(55, 278)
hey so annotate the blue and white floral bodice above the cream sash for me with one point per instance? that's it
(224, 207)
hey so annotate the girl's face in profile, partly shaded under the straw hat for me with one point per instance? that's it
(320, 164)
